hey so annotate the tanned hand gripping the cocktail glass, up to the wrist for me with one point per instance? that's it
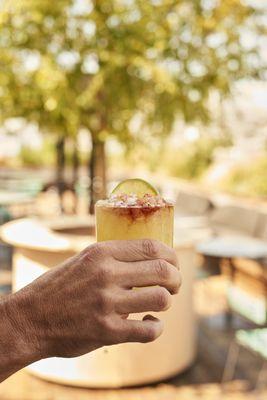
(84, 304)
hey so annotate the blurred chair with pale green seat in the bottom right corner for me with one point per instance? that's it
(254, 340)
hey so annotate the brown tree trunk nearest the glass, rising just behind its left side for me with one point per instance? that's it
(97, 171)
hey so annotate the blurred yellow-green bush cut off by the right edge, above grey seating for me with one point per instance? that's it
(248, 179)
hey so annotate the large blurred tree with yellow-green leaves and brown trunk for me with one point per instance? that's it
(124, 68)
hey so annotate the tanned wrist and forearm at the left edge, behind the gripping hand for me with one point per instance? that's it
(16, 350)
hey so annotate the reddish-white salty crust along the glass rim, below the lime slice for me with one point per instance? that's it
(124, 200)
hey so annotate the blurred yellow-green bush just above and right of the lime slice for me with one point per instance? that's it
(192, 160)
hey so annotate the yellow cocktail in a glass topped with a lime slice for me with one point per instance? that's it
(134, 210)
